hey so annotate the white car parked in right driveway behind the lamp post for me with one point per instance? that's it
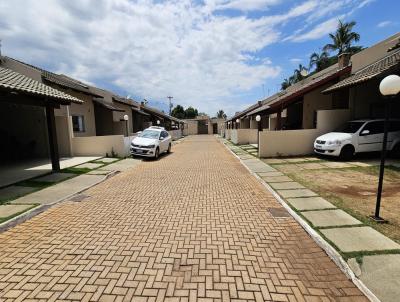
(359, 136)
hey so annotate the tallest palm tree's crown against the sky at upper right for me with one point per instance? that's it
(343, 37)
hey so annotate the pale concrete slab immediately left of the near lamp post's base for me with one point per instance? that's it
(330, 218)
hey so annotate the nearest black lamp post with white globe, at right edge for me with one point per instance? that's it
(389, 88)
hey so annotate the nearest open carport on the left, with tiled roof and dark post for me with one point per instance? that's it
(29, 121)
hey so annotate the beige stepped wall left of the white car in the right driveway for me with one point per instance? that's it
(300, 142)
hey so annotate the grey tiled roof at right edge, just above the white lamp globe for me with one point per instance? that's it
(371, 71)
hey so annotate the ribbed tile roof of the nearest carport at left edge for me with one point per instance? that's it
(14, 81)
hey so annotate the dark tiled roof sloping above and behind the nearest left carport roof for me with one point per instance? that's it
(59, 79)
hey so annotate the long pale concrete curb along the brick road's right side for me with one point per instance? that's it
(330, 251)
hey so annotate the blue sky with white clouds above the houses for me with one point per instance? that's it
(211, 54)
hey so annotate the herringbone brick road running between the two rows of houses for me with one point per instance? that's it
(191, 225)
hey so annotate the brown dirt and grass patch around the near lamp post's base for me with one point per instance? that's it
(354, 190)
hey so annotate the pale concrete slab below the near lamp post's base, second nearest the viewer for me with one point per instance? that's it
(359, 239)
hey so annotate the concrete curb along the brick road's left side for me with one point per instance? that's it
(41, 208)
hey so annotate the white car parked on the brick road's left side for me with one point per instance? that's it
(151, 142)
